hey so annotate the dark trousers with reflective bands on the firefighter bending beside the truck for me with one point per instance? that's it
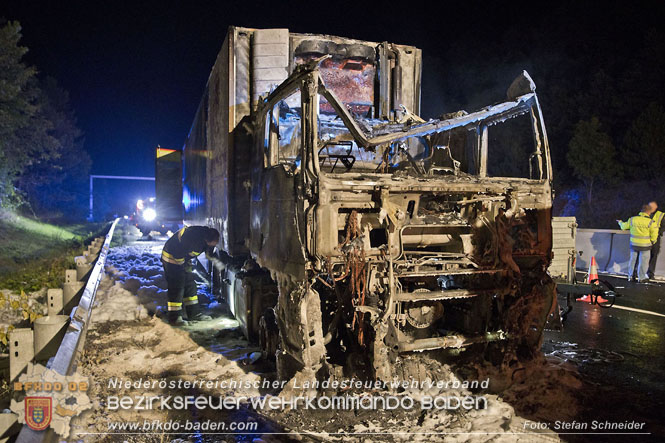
(182, 290)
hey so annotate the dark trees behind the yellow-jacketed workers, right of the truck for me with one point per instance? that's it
(617, 146)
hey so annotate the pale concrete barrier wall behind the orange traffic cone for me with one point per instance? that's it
(611, 249)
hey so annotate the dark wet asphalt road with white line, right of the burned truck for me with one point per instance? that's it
(621, 354)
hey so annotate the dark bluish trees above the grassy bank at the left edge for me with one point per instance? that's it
(43, 166)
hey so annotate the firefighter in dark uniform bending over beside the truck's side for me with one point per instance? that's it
(177, 255)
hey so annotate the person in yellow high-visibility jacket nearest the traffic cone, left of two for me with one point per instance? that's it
(643, 234)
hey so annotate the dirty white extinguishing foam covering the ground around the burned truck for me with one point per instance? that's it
(150, 349)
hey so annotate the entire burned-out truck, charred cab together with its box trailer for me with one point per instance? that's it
(357, 235)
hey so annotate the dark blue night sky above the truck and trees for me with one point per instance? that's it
(136, 70)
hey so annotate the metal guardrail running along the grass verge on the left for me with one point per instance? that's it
(65, 360)
